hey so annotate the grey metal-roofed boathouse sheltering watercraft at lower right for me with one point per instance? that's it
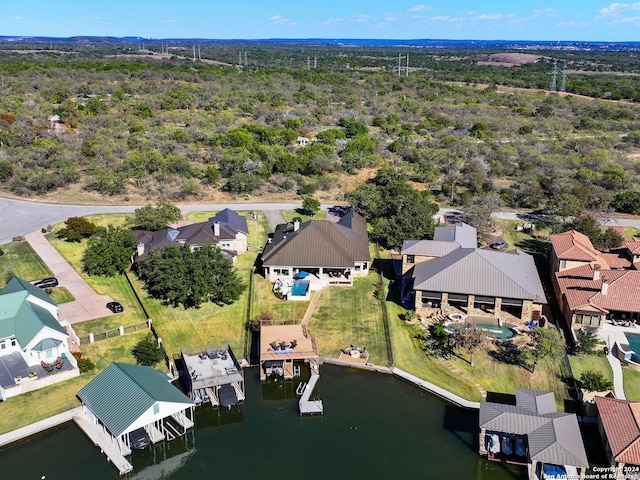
(534, 433)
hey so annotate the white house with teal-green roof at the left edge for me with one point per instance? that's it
(31, 336)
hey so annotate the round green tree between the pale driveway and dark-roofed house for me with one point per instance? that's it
(109, 251)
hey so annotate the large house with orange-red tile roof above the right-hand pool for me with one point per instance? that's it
(593, 286)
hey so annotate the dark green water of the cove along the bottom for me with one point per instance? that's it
(374, 427)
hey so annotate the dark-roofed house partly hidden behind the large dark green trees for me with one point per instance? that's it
(227, 229)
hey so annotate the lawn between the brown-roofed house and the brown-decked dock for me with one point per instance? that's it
(346, 316)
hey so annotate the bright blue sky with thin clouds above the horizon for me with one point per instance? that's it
(559, 20)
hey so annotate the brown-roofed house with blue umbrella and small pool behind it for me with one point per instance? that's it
(333, 252)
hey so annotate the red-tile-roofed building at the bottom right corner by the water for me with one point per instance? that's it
(619, 426)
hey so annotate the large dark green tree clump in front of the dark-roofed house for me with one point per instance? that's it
(179, 276)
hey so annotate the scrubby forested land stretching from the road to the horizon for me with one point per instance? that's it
(93, 125)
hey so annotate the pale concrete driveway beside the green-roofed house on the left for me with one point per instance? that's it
(88, 304)
